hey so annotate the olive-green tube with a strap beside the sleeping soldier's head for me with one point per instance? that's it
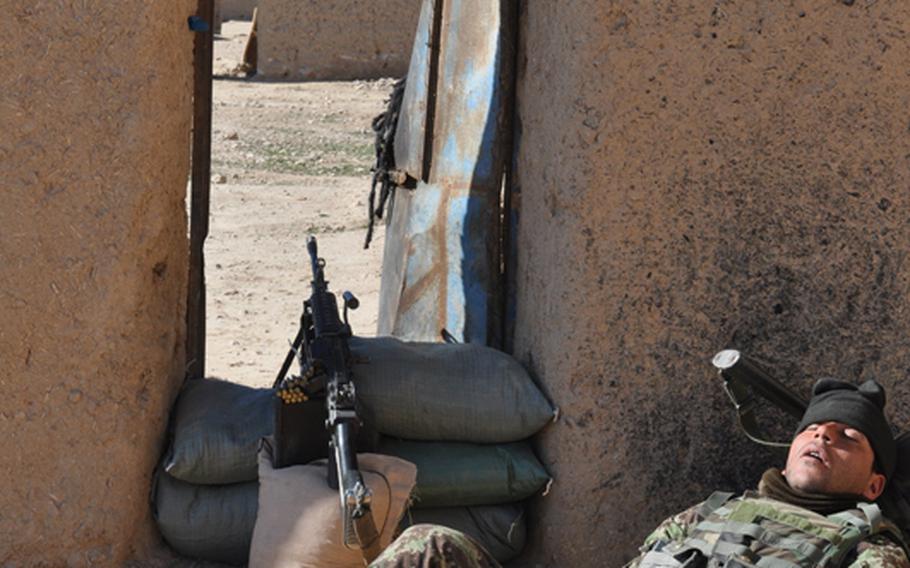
(743, 379)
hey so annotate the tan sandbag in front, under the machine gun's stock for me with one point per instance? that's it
(299, 521)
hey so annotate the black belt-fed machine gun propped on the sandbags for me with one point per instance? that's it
(321, 346)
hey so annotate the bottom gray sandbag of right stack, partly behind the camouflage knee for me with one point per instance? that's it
(500, 529)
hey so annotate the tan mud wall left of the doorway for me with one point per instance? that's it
(96, 111)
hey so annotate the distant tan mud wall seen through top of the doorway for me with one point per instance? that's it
(335, 39)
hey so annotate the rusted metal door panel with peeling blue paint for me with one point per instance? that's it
(441, 265)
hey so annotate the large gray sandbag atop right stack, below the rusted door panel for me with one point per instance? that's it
(443, 391)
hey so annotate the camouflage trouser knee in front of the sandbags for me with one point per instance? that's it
(433, 546)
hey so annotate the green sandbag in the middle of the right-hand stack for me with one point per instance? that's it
(453, 473)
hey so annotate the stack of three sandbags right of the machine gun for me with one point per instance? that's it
(462, 413)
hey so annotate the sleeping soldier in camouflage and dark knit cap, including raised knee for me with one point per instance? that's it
(818, 511)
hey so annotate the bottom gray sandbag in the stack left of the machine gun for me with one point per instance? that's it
(211, 522)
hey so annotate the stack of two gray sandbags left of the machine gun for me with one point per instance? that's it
(206, 493)
